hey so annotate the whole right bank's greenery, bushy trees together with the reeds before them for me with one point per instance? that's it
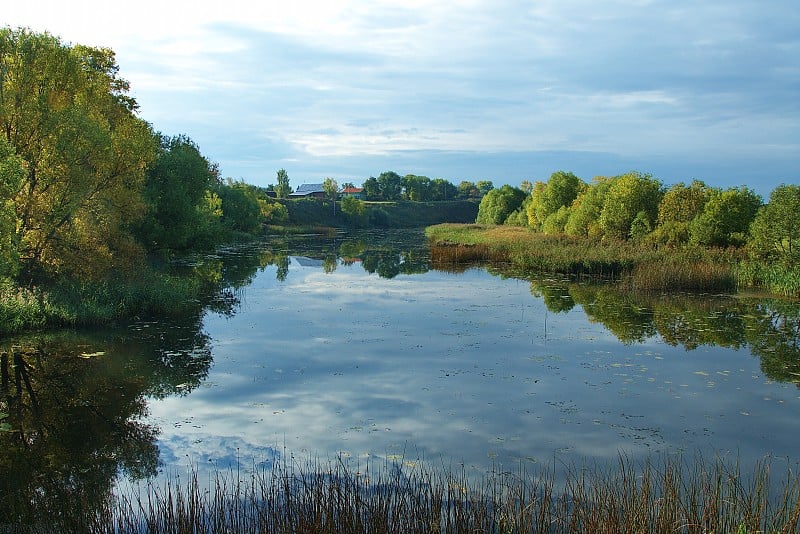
(631, 227)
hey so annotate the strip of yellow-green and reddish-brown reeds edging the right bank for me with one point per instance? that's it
(639, 267)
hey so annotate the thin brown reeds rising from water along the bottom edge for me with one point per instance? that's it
(668, 495)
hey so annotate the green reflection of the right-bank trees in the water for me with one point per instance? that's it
(769, 327)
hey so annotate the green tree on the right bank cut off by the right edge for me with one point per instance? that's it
(775, 232)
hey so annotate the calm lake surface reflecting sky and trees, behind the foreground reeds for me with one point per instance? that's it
(356, 347)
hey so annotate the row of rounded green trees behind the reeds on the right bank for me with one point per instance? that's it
(638, 207)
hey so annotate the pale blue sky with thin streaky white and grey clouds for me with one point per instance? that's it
(503, 90)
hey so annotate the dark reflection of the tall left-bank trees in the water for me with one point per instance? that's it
(73, 407)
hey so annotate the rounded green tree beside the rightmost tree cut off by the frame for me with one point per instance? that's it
(726, 218)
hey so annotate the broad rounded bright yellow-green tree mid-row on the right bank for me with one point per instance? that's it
(629, 195)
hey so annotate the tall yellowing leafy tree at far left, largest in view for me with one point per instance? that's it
(68, 117)
